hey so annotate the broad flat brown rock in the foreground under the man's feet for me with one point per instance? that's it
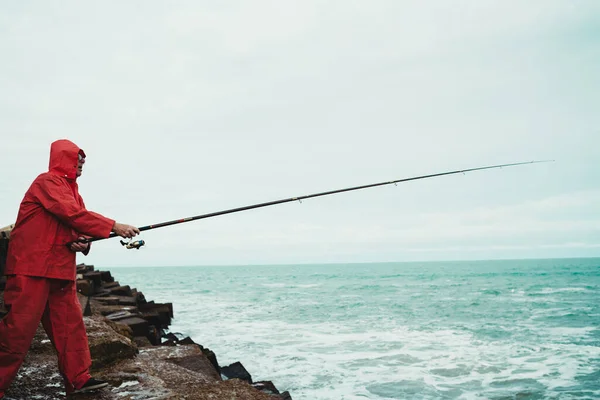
(167, 373)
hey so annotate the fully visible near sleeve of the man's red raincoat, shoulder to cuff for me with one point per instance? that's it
(56, 196)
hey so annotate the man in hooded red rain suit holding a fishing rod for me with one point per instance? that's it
(41, 271)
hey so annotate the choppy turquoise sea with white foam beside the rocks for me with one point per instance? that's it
(502, 329)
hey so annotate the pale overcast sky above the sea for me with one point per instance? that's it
(190, 107)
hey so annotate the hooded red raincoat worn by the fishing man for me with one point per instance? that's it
(52, 214)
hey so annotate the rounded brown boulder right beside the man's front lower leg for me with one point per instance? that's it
(106, 345)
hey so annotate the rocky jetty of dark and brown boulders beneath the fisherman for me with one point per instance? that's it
(132, 349)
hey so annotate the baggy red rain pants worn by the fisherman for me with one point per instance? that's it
(31, 299)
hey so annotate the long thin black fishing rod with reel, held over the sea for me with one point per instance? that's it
(139, 243)
